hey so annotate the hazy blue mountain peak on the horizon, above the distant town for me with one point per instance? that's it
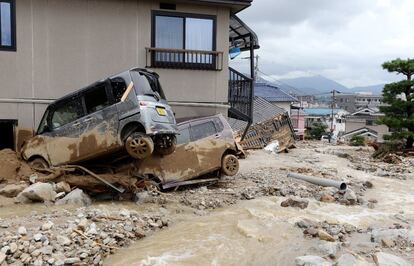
(315, 85)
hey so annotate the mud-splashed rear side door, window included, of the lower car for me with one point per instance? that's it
(209, 145)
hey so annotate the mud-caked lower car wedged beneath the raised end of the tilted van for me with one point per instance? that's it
(204, 145)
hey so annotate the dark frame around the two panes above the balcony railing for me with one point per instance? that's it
(183, 15)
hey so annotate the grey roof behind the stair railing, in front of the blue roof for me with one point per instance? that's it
(262, 111)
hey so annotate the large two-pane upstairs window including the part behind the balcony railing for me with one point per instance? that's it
(185, 40)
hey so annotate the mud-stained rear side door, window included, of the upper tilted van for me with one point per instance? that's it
(100, 124)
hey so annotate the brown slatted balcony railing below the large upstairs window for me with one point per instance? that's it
(184, 59)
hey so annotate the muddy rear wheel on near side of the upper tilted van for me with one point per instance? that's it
(139, 146)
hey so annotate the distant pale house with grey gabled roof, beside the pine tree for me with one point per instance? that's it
(363, 121)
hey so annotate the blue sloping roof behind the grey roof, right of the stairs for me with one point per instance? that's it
(272, 93)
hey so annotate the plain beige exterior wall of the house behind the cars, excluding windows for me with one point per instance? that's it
(63, 46)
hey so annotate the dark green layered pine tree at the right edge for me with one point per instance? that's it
(399, 102)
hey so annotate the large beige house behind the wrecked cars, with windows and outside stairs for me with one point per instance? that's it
(51, 48)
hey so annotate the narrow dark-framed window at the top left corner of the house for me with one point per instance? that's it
(7, 25)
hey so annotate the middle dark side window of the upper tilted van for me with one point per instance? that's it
(96, 98)
